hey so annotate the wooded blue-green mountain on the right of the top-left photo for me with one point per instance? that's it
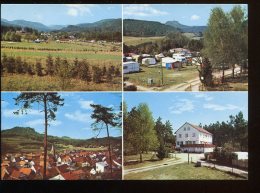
(111, 25)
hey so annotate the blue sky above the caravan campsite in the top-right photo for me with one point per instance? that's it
(187, 14)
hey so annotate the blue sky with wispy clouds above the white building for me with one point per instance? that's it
(192, 107)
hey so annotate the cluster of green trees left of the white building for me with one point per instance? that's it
(143, 134)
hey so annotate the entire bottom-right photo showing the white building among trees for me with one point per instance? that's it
(185, 136)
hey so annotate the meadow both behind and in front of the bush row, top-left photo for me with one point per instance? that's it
(96, 54)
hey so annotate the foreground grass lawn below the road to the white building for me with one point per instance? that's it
(182, 172)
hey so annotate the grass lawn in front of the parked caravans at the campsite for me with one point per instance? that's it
(170, 77)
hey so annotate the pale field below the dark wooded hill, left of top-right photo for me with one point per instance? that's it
(133, 41)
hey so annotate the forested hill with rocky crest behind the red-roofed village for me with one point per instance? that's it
(25, 137)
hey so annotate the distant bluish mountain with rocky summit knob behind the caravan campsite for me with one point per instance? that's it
(186, 28)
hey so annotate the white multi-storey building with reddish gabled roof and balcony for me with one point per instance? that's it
(193, 138)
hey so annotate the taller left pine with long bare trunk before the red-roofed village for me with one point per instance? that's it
(50, 101)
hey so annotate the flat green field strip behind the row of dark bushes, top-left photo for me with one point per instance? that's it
(94, 52)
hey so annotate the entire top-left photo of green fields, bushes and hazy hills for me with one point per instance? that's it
(61, 47)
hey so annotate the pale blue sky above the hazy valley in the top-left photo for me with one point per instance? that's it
(61, 14)
